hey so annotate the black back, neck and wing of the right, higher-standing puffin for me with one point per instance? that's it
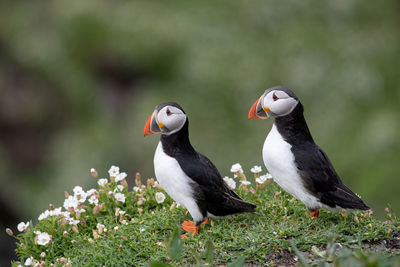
(314, 167)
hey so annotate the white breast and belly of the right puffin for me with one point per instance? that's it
(279, 160)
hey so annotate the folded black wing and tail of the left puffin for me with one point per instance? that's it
(211, 191)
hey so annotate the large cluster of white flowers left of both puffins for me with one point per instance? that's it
(83, 210)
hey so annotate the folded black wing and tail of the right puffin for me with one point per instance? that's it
(321, 179)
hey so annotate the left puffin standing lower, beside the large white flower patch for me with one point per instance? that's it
(187, 176)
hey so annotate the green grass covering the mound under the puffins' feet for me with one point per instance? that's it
(281, 226)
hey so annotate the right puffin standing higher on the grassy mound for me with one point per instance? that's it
(297, 164)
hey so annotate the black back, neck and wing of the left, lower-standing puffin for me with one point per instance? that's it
(211, 193)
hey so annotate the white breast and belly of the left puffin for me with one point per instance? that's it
(175, 182)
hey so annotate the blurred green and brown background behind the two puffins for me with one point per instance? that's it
(78, 80)
